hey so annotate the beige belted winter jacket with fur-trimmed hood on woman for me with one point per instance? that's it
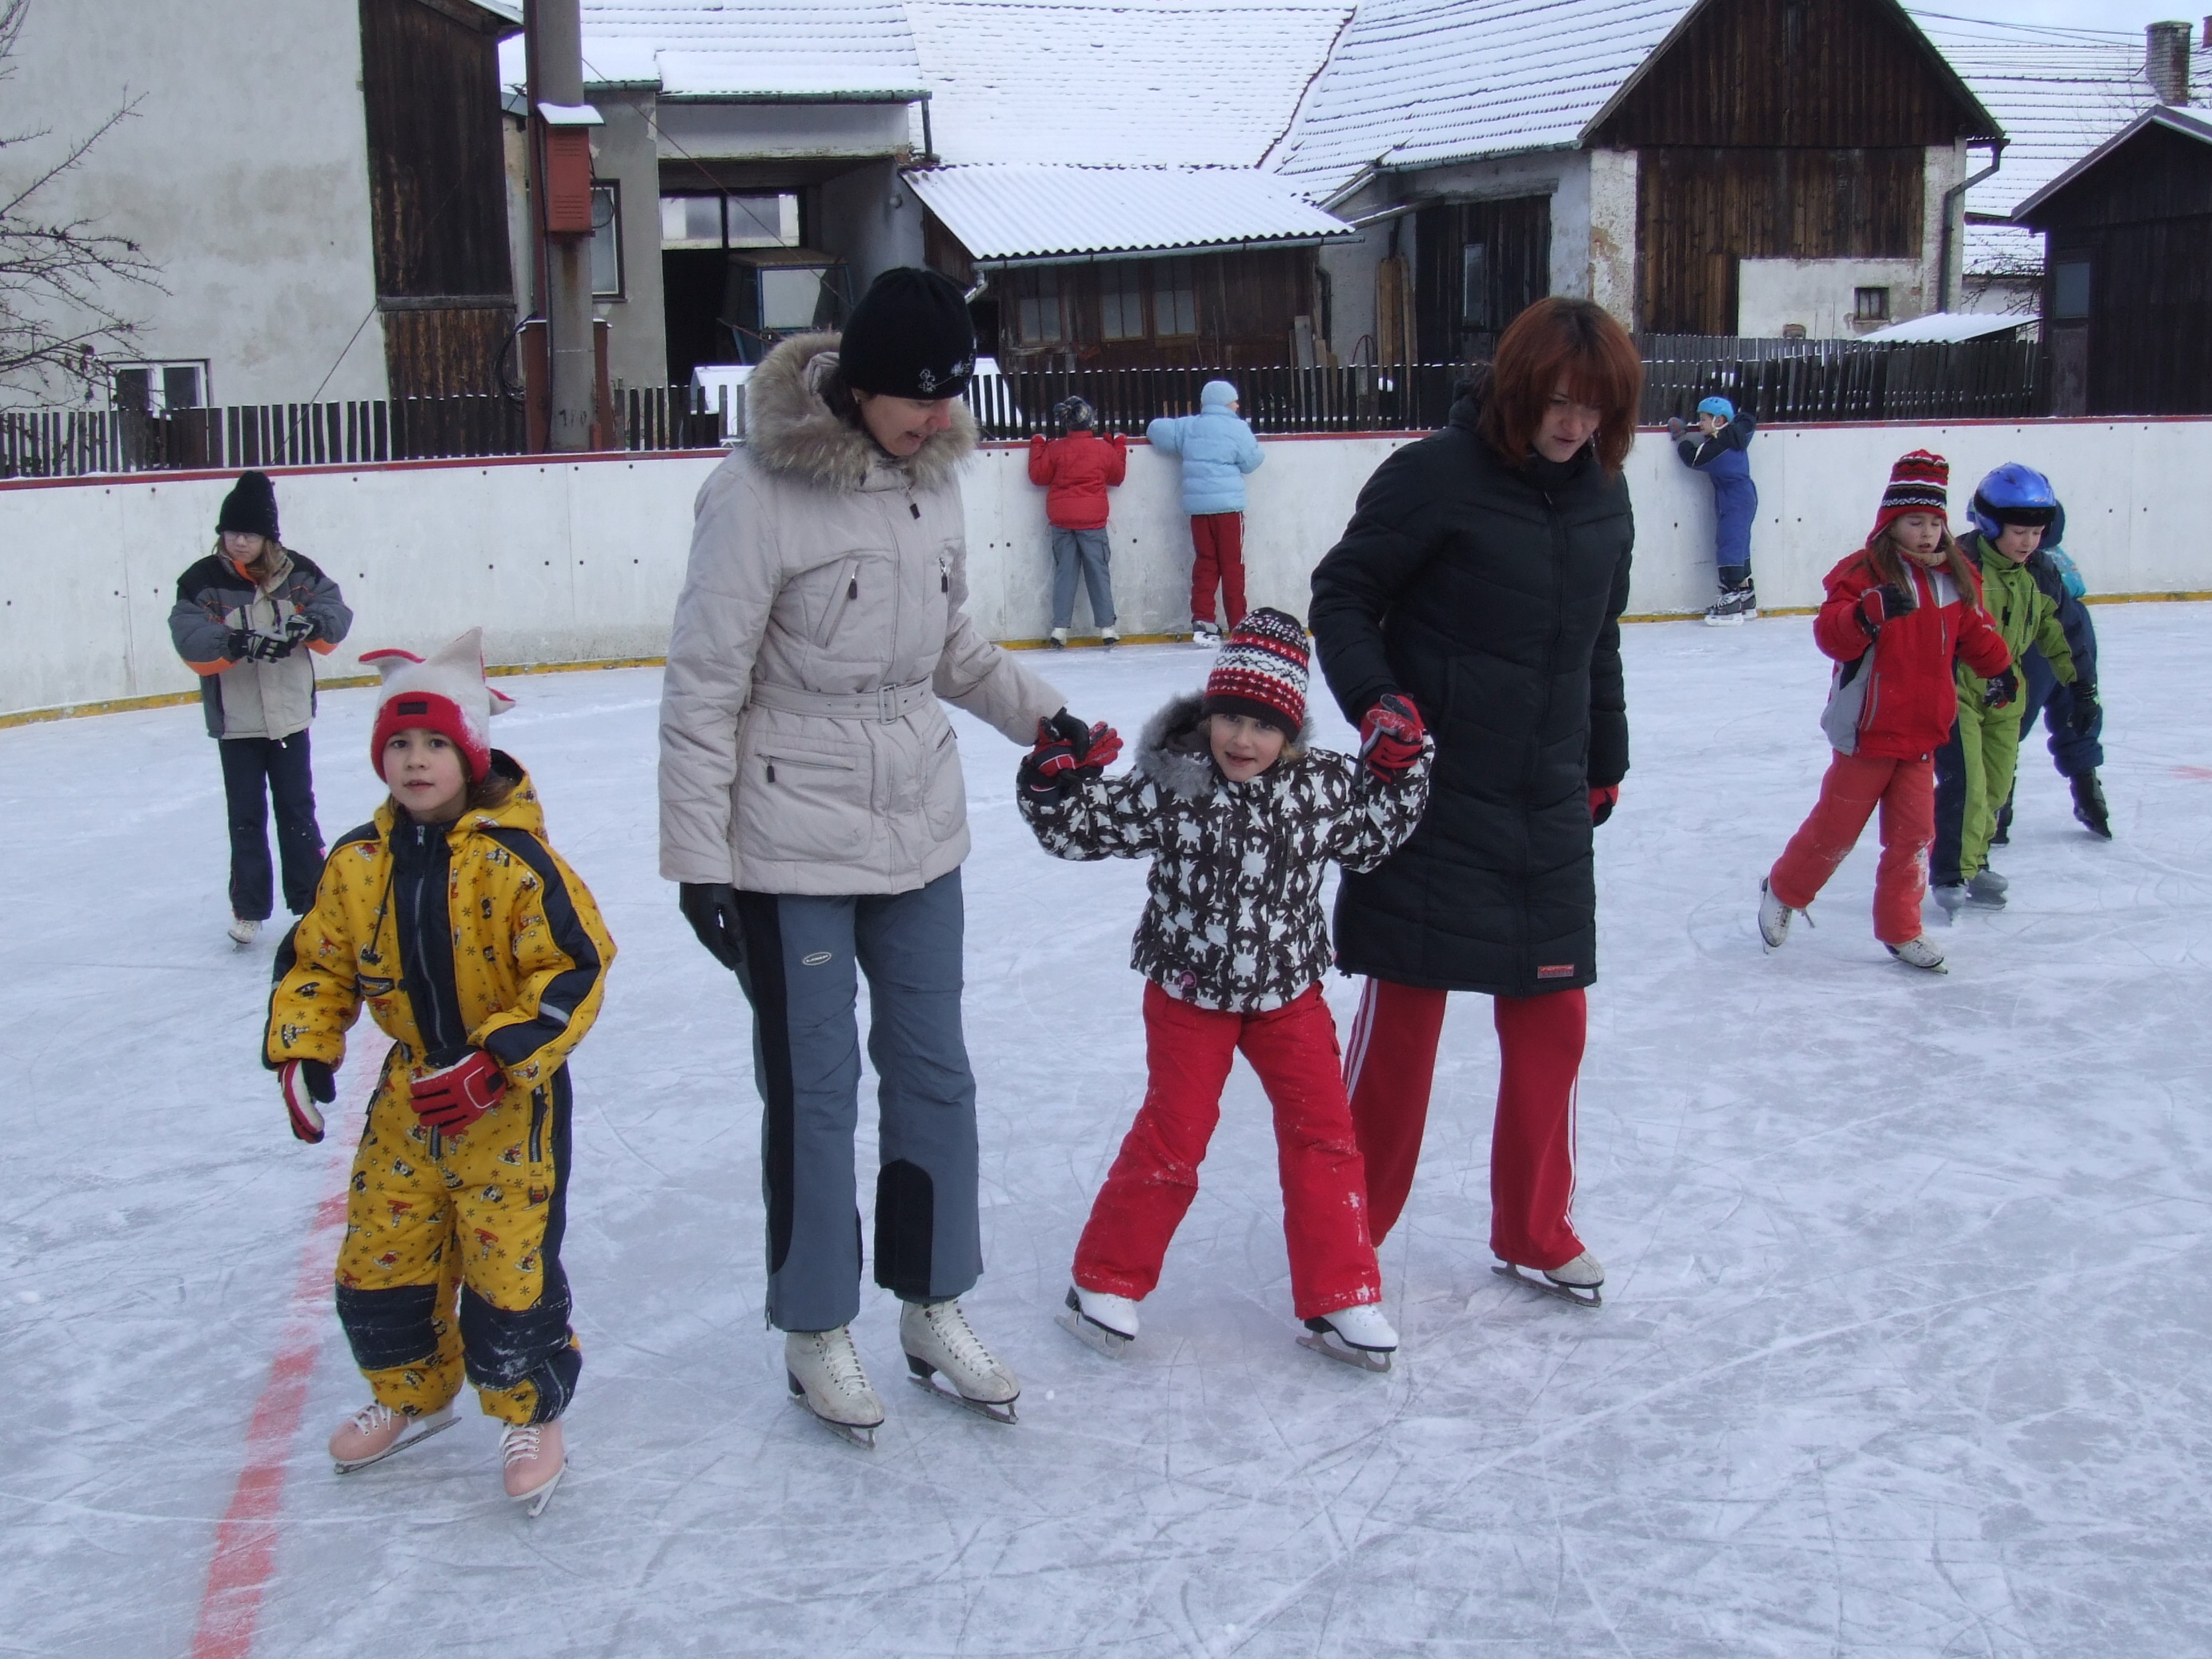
(804, 749)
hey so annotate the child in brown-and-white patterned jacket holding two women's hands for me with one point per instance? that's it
(1240, 820)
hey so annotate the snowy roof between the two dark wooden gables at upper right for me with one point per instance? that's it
(2058, 94)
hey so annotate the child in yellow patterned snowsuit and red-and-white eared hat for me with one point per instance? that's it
(483, 959)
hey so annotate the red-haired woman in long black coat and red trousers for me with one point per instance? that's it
(1483, 581)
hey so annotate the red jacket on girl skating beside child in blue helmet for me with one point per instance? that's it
(1912, 693)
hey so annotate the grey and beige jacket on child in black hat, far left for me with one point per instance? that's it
(255, 698)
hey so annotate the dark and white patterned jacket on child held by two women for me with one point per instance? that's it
(1235, 912)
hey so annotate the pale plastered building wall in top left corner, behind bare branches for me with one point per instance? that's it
(242, 176)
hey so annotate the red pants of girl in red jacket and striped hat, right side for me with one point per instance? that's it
(1855, 784)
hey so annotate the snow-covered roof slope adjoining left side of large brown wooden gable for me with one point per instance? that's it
(1443, 81)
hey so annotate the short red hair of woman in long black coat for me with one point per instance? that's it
(1569, 342)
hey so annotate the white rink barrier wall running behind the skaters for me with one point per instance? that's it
(581, 561)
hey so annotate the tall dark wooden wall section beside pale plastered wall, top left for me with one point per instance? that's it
(437, 196)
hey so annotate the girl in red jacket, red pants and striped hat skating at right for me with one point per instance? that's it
(1899, 616)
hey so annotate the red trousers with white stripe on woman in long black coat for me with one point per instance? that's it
(1534, 1138)
